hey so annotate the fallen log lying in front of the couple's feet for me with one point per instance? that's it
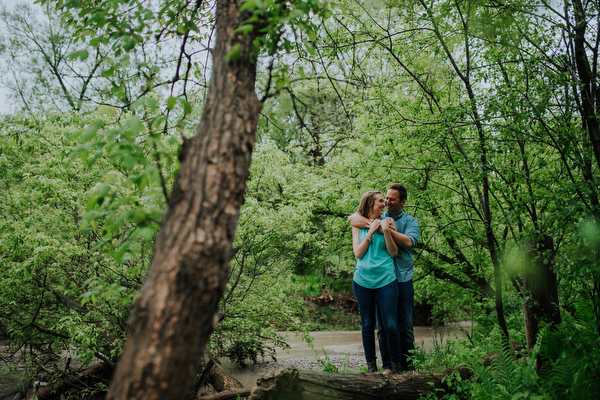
(292, 384)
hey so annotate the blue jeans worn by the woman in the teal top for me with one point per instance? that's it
(386, 300)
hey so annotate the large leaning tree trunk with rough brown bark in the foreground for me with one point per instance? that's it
(177, 307)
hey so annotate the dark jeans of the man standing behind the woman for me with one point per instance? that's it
(406, 311)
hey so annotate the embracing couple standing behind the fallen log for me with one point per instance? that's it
(383, 236)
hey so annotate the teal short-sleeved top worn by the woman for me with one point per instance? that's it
(376, 268)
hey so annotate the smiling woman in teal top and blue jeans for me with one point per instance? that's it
(374, 281)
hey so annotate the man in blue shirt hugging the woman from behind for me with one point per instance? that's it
(406, 236)
